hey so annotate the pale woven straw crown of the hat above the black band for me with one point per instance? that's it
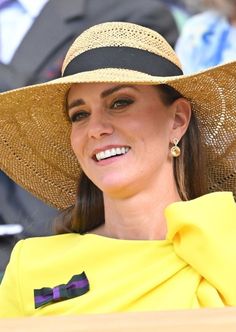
(121, 34)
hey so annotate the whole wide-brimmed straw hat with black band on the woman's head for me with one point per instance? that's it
(35, 129)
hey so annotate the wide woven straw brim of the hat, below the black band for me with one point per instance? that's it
(35, 129)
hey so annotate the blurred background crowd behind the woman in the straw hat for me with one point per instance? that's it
(34, 36)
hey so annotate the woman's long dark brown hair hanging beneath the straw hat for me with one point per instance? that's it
(189, 171)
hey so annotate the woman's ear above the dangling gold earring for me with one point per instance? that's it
(181, 118)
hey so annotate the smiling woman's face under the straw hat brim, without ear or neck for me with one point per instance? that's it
(120, 135)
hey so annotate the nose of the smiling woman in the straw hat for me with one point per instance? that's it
(99, 126)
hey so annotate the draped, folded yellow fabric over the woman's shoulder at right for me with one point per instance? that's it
(203, 233)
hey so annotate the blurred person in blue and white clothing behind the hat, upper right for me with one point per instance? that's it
(208, 38)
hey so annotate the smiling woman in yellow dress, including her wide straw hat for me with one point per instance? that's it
(144, 232)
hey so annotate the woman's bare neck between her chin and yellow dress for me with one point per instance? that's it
(140, 216)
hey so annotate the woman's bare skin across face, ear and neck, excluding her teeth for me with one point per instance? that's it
(138, 185)
